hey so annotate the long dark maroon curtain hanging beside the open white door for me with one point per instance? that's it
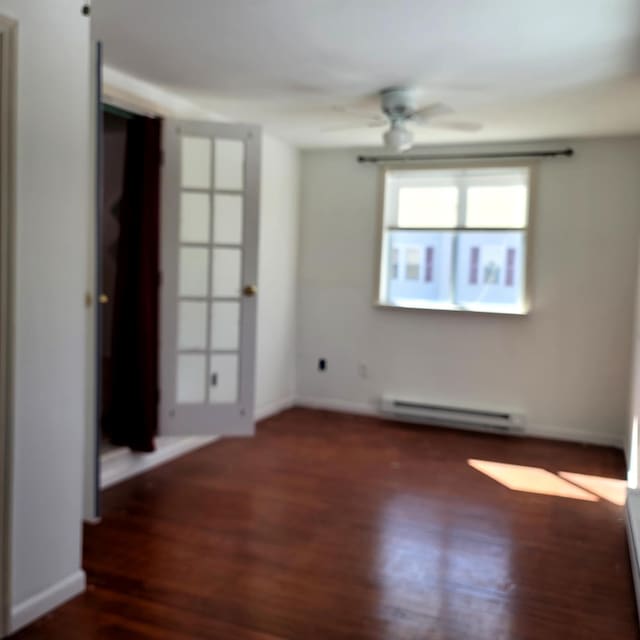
(132, 418)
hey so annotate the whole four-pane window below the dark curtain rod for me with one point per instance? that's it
(455, 239)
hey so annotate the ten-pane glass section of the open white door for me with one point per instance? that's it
(211, 213)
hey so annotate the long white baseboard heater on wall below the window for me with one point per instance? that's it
(449, 416)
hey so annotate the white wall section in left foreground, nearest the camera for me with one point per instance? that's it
(53, 204)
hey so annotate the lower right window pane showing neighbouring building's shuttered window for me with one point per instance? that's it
(490, 269)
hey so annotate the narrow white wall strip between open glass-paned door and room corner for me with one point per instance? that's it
(277, 274)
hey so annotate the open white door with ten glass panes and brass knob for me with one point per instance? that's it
(209, 244)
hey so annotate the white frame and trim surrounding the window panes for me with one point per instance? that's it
(386, 211)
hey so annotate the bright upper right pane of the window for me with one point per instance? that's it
(503, 206)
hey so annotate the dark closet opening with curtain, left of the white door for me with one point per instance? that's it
(128, 277)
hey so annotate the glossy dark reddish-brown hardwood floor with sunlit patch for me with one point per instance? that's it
(332, 526)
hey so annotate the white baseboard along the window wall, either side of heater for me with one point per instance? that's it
(533, 431)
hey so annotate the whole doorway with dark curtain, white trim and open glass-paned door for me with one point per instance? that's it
(206, 223)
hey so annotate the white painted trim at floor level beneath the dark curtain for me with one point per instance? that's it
(121, 464)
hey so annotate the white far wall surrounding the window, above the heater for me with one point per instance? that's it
(566, 365)
